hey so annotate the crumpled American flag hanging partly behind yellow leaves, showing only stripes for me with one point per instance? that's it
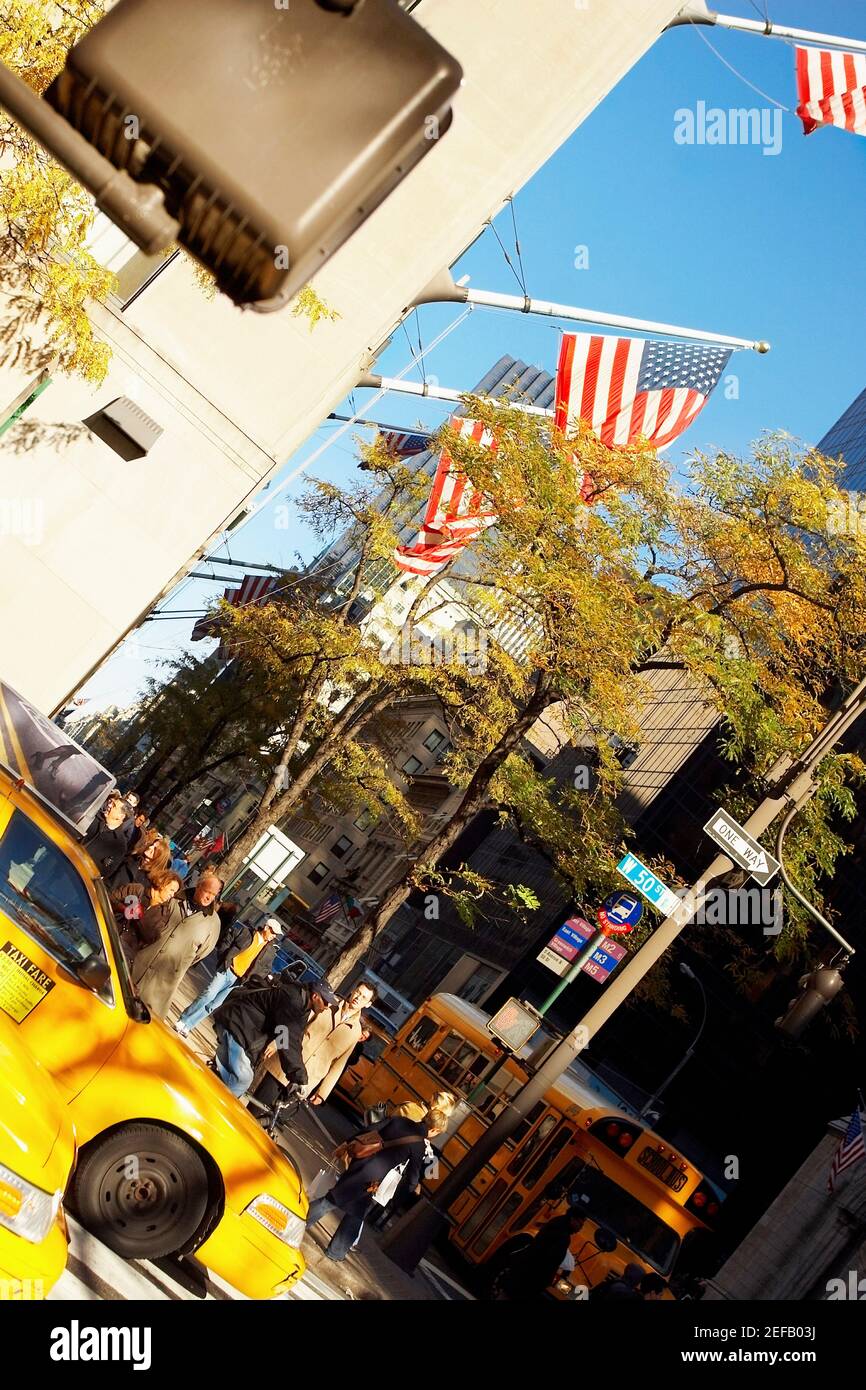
(455, 512)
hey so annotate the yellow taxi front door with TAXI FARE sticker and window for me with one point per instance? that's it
(51, 932)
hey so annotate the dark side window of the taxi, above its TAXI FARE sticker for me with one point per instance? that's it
(44, 893)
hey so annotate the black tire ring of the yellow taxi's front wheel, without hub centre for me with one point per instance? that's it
(176, 1160)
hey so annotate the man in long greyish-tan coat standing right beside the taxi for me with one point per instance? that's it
(161, 968)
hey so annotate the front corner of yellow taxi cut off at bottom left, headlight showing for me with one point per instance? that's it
(37, 1157)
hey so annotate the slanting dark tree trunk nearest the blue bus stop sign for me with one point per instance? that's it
(472, 803)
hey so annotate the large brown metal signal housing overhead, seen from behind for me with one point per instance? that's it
(269, 130)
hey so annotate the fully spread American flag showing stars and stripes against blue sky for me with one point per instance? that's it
(632, 387)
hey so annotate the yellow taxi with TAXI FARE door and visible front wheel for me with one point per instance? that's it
(170, 1163)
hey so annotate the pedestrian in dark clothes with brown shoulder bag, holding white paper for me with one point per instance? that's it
(355, 1193)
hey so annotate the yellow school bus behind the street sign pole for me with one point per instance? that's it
(642, 1199)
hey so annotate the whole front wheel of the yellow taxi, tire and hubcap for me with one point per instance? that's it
(142, 1192)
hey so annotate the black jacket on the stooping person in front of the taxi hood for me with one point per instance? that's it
(255, 1011)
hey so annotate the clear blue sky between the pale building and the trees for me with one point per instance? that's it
(715, 237)
